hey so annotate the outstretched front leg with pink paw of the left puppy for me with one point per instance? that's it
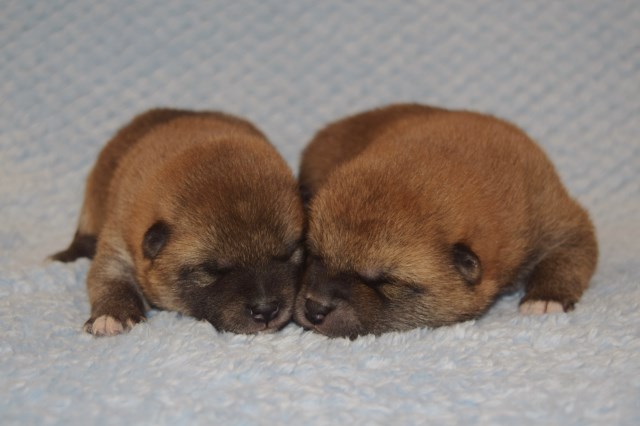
(116, 301)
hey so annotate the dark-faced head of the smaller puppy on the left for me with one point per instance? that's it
(224, 242)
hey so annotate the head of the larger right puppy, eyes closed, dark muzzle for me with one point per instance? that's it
(382, 258)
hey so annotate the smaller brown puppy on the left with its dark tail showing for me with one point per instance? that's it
(194, 212)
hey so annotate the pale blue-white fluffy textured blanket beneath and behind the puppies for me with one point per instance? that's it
(72, 72)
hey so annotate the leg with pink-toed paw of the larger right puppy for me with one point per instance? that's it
(558, 281)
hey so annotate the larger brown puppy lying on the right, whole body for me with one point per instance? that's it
(421, 217)
